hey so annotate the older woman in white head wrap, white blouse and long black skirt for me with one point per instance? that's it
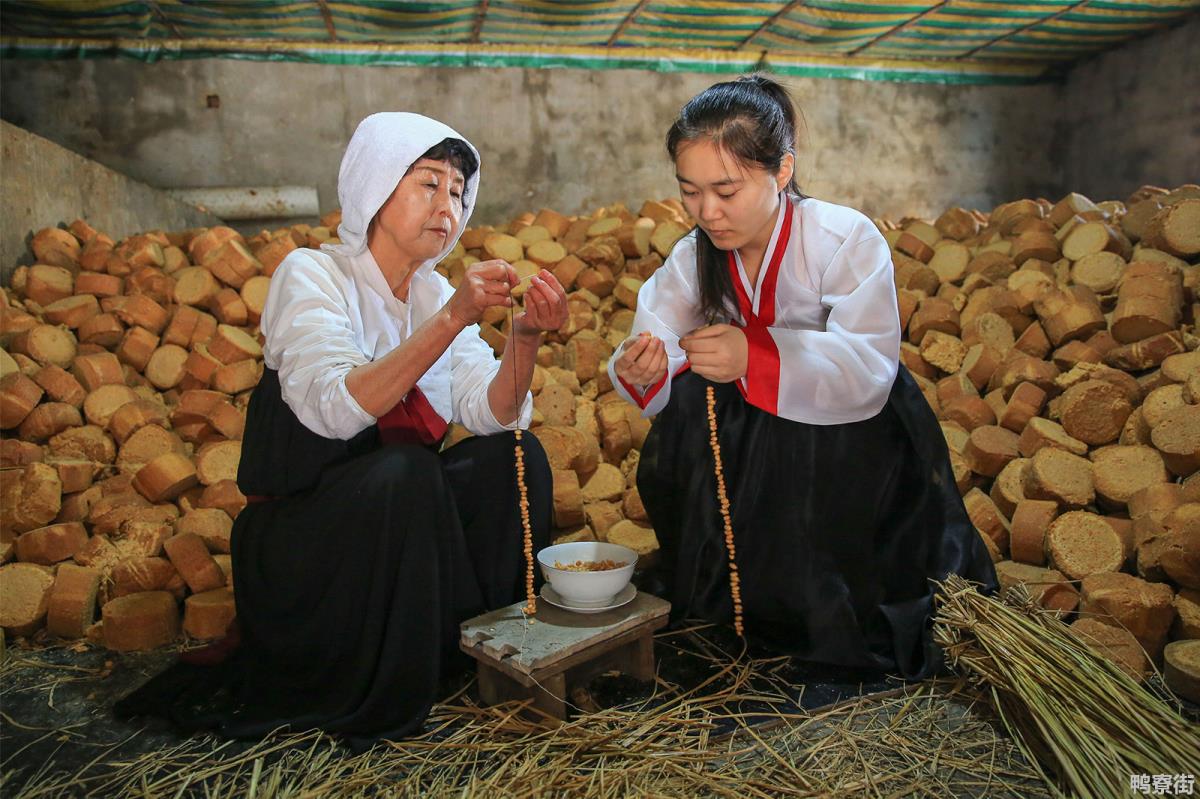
(364, 546)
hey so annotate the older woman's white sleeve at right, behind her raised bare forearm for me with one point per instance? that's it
(473, 367)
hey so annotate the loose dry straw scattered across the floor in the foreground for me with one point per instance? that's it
(737, 734)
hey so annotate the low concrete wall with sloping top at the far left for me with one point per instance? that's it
(45, 185)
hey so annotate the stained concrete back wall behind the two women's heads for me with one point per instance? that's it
(572, 140)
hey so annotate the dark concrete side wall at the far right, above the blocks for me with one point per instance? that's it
(1132, 116)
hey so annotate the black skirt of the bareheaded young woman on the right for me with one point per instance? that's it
(838, 528)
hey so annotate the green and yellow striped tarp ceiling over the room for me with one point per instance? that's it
(952, 41)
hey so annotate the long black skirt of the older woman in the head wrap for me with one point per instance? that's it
(352, 582)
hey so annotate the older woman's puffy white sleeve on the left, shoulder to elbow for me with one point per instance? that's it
(310, 343)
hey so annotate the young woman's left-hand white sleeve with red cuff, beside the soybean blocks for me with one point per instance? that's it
(668, 308)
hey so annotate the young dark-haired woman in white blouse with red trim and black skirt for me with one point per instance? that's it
(844, 504)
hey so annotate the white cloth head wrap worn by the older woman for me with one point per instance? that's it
(381, 153)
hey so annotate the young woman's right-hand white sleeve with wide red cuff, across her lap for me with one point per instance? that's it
(844, 373)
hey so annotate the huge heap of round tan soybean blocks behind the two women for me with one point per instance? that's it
(1055, 343)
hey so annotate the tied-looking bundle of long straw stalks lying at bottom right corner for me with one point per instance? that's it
(1083, 723)
